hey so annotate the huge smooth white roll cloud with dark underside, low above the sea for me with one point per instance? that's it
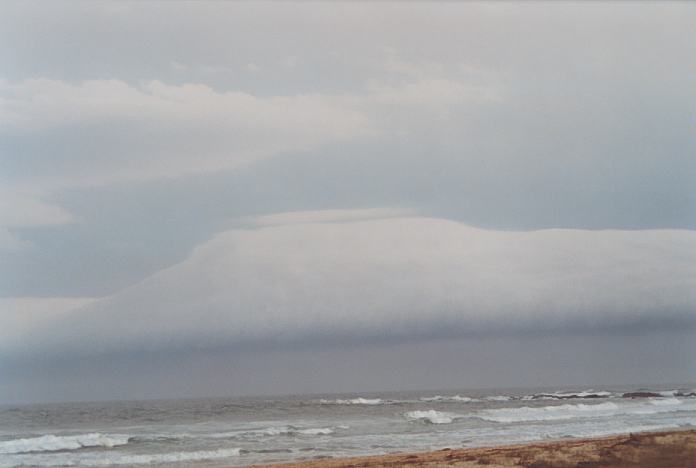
(385, 279)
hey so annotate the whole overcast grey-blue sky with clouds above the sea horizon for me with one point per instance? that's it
(251, 198)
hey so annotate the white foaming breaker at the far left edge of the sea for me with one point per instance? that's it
(51, 443)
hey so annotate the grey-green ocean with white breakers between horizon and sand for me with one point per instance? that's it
(240, 431)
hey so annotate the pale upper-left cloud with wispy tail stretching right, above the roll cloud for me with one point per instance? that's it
(62, 135)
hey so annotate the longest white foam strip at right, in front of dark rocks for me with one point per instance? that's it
(546, 413)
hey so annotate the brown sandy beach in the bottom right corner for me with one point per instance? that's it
(644, 450)
